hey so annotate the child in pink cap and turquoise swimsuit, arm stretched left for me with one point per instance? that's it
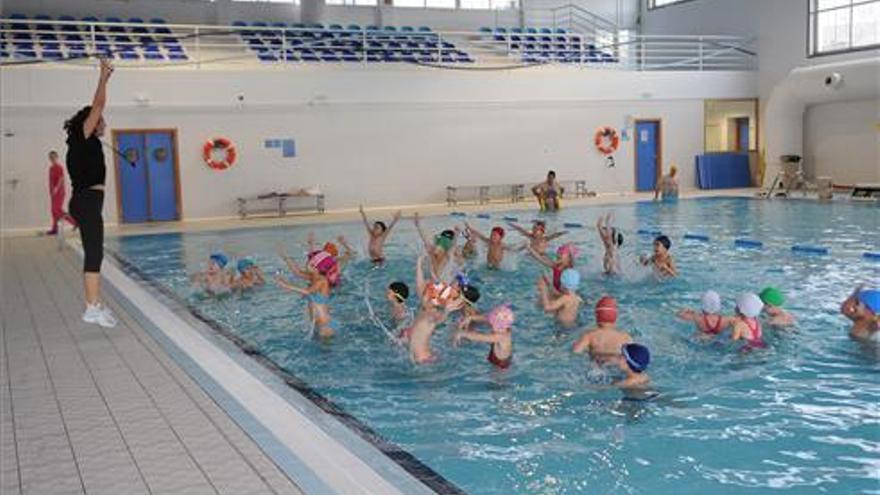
(317, 293)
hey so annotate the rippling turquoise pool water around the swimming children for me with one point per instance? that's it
(802, 416)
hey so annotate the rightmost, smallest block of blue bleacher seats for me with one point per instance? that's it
(541, 45)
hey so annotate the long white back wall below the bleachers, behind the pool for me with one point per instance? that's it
(382, 136)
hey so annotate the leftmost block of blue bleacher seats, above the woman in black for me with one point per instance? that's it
(37, 38)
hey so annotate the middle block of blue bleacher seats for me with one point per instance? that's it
(352, 43)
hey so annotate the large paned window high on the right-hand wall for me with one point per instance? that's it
(837, 26)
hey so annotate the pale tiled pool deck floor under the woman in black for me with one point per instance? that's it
(89, 410)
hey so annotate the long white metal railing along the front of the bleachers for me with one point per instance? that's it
(74, 42)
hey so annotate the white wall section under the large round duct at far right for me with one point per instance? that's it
(839, 134)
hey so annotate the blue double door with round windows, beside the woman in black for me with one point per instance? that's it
(146, 167)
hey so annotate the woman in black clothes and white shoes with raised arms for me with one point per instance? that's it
(87, 170)
